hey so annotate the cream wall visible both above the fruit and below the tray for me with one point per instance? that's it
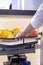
(10, 22)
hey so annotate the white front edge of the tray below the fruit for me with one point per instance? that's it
(18, 42)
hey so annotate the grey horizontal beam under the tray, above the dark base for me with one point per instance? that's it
(8, 51)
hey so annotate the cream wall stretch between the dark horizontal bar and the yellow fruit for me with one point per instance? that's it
(11, 22)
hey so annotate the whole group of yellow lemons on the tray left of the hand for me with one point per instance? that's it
(9, 34)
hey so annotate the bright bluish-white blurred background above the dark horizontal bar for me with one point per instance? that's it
(20, 4)
